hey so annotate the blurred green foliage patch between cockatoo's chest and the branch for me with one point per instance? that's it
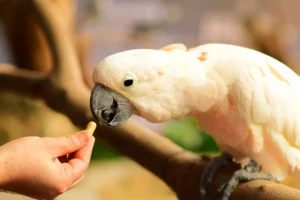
(186, 134)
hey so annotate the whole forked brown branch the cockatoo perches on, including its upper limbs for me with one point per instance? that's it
(68, 94)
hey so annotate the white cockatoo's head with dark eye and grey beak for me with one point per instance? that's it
(146, 82)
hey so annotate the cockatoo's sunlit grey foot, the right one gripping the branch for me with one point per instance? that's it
(248, 173)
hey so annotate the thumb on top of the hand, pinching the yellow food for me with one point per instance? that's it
(69, 144)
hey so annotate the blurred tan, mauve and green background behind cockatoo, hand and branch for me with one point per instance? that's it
(104, 27)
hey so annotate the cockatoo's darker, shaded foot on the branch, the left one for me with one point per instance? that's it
(214, 165)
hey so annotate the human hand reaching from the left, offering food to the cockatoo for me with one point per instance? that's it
(44, 168)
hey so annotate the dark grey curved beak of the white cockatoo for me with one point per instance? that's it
(108, 107)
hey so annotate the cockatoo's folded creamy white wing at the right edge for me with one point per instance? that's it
(267, 92)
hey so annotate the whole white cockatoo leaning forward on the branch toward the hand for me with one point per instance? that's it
(247, 101)
